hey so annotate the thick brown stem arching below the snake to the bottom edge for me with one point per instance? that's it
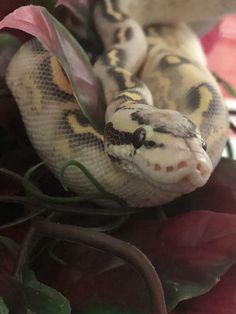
(107, 243)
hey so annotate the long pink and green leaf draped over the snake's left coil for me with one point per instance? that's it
(41, 24)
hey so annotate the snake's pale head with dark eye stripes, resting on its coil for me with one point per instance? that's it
(162, 147)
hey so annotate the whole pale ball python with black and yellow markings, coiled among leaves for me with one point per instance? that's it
(166, 121)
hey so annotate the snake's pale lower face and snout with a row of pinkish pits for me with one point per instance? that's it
(190, 169)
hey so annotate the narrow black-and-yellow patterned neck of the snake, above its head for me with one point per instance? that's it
(125, 51)
